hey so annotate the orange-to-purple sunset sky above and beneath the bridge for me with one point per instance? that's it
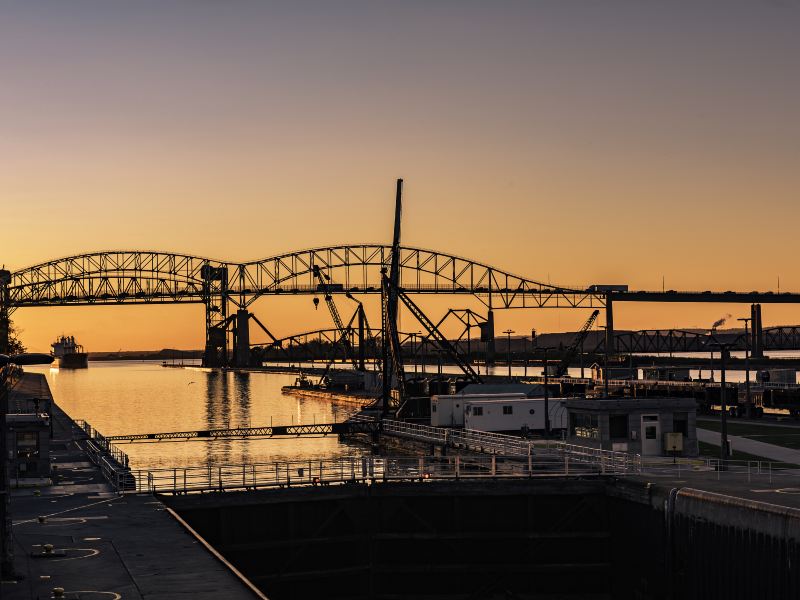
(571, 142)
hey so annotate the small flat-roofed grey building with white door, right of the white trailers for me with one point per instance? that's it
(646, 426)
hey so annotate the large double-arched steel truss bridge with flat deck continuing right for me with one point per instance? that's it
(149, 277)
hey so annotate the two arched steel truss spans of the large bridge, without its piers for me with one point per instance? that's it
(136, 276)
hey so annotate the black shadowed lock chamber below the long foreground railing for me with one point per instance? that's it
(506, 539)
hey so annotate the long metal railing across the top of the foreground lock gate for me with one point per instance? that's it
(354, 469)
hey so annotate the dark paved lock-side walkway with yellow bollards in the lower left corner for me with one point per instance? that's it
(109, 547)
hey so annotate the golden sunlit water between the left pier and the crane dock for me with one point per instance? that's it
(124, 397)
